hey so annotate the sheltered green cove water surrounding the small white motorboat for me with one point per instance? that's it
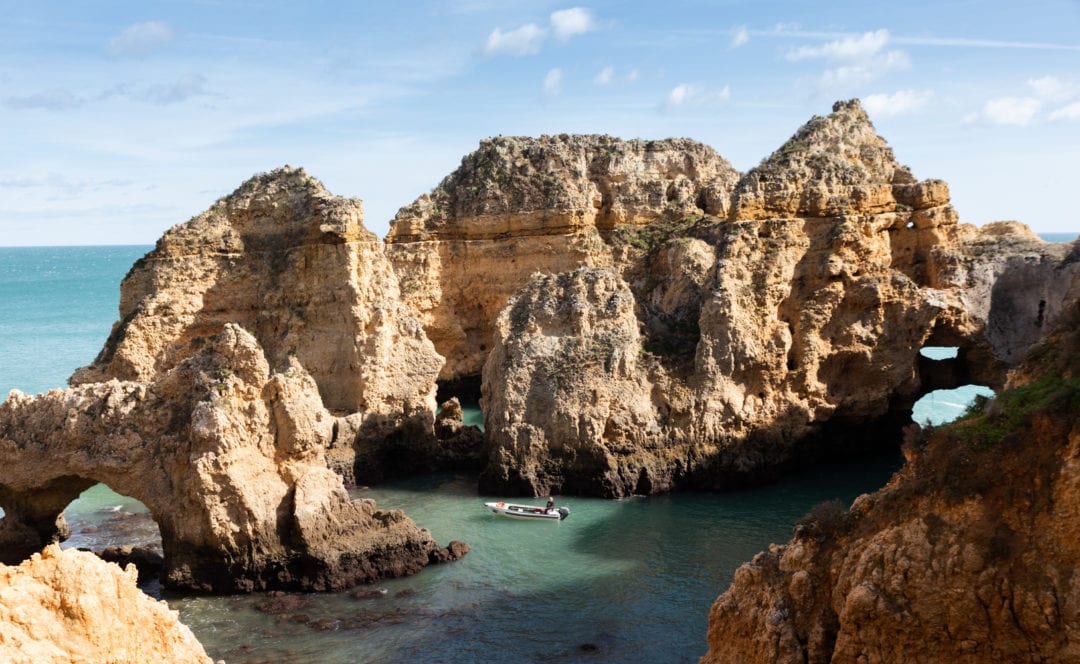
(629, 581)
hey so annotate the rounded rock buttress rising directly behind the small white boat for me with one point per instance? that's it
(573, 410)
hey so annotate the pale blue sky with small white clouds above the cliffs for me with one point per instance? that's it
(121, 119)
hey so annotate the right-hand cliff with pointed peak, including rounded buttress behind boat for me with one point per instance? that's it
(766, 336)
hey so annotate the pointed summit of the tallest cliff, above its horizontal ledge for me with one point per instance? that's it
(831, 167)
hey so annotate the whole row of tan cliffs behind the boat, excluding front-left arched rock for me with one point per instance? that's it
(779, 315)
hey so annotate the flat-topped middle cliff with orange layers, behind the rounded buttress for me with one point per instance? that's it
(522, 206)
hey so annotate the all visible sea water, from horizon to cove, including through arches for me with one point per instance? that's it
(618, 581)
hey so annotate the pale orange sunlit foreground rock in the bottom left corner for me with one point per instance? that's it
(69, 606)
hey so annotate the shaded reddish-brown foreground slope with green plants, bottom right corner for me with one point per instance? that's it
(969, 554)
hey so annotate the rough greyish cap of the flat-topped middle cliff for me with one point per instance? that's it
(597, 180)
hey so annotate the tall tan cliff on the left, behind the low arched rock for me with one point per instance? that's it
(291, 263)
